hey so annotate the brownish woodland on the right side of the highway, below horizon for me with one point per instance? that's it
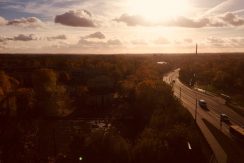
(216, 73)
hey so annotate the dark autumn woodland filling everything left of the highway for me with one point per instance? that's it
(110, 109)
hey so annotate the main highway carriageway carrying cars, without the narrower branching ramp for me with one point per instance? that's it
(216, 105)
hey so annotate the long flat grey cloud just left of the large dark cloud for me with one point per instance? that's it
(26, 22)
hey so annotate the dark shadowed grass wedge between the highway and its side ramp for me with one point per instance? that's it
(233, 149)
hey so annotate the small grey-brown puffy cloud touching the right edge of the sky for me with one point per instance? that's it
(233, 19)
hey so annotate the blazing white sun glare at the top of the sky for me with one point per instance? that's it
(158, 10)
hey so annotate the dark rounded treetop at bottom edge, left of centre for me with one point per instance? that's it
(107, 147)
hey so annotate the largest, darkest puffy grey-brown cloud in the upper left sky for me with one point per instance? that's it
(78, 18)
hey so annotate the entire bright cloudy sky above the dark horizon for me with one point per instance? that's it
(121, 26)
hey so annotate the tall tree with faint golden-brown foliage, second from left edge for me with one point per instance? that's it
(52, 99)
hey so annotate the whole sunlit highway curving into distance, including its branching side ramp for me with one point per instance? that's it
(216, 106)
